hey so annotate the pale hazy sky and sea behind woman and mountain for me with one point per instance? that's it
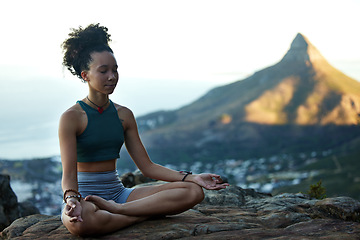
(169, 52)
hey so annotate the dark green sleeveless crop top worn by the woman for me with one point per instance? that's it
(103, 137)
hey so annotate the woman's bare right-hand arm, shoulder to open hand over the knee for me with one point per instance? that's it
(152, 170)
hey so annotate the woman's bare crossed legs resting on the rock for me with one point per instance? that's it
(102, 216)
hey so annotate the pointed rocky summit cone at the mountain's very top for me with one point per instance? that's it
(301, 50)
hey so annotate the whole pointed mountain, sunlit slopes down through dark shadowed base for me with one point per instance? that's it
(295, 105)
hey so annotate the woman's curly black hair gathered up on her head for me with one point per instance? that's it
(81, 43)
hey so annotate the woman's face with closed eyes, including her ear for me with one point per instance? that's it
(102, 75)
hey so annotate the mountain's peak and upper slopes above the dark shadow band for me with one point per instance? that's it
(303, 88)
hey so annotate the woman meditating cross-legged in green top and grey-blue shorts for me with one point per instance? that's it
(91, 134)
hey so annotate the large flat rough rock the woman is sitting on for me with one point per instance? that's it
(233, 213)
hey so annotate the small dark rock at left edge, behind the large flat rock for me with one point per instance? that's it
(10, 209)
